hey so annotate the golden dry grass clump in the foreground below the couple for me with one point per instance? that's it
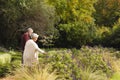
(35, 74)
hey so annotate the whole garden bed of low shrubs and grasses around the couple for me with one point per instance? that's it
(86, 63)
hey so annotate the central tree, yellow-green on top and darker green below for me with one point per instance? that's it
(75, 22)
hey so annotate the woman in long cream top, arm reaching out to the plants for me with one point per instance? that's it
(30, 55)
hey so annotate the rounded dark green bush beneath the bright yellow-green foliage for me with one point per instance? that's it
(77, 34)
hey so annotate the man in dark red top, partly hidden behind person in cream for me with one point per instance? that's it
(25, 37)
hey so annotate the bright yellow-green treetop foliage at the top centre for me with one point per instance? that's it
(73, 10)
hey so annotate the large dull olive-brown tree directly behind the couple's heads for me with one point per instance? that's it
(17, 15)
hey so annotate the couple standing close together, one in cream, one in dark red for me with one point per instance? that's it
(30, 48)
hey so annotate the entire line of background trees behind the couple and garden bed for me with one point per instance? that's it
(61, 23)
